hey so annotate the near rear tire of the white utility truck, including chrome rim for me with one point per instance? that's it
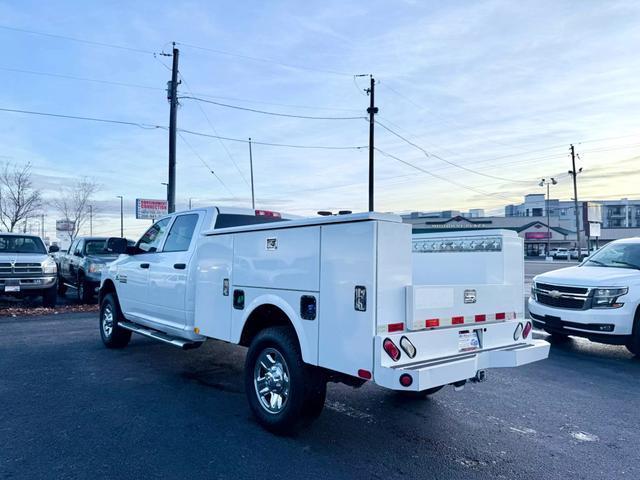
(281, 390)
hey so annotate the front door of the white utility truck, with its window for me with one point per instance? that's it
(133, 272)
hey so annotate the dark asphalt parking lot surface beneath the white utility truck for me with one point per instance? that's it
(73, 409)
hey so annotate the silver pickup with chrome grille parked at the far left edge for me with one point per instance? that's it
(26, 269)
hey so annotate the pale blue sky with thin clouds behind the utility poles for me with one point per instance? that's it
(478, 100)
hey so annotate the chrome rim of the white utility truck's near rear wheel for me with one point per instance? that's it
(271, 380)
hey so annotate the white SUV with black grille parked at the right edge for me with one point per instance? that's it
(598, 299)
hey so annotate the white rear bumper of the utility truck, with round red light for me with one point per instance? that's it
(443, 371)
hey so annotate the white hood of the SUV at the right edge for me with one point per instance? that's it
(591, 276)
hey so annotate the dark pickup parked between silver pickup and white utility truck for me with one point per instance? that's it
(80, 267)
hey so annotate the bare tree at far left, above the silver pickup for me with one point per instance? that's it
(19, 199)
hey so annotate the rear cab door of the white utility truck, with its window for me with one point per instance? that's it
(169, 271)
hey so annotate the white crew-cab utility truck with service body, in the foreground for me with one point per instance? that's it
(345, 298)
